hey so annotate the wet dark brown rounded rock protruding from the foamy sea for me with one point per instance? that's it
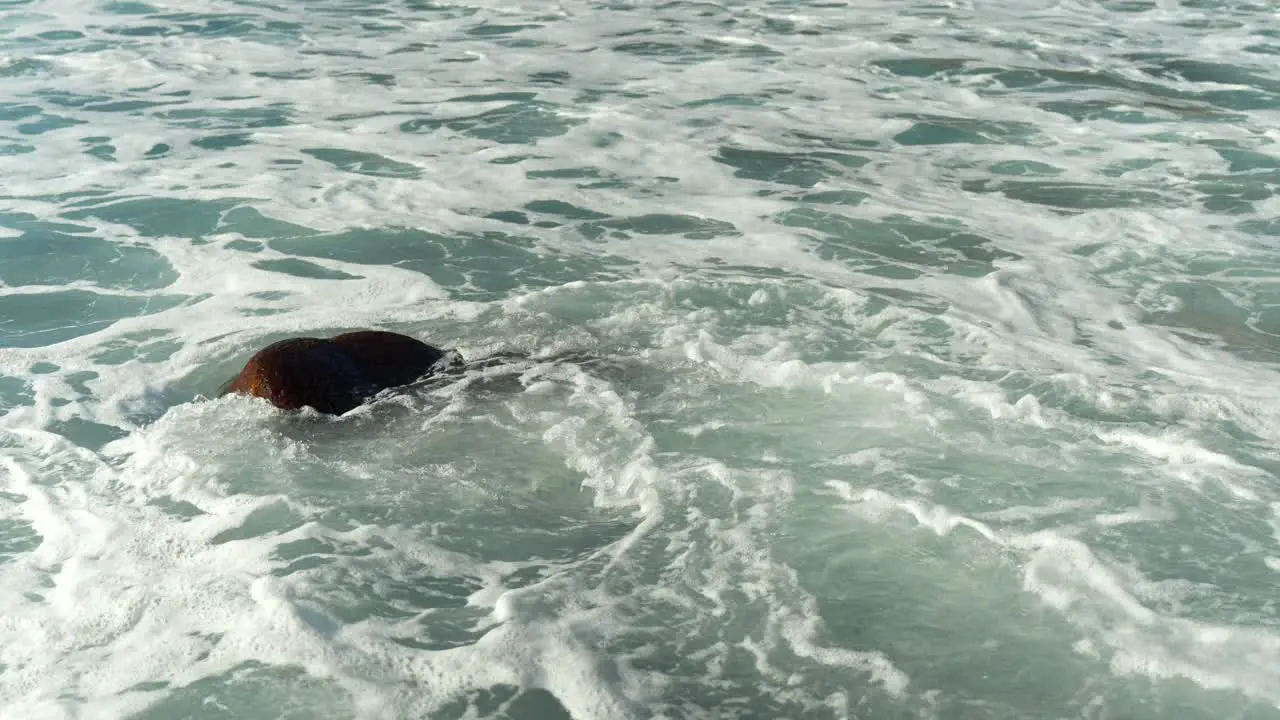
(335, 375)
